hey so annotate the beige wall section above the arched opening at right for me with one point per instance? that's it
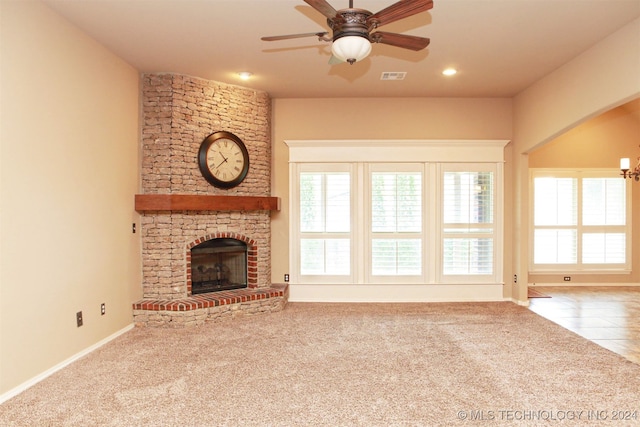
(603, 77)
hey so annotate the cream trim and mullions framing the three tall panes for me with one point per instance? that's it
(427, 152)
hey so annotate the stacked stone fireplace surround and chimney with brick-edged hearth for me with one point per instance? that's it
(178, 112)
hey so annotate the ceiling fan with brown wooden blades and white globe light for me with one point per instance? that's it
(354, 29)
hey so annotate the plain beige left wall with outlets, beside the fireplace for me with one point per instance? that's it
(69, 172)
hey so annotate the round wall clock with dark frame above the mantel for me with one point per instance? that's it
(223, 159)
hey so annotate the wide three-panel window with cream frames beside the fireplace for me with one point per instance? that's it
(376, 222)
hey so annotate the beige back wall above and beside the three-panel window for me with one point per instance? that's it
(371, 118)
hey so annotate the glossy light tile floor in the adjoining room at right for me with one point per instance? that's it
(607, 315)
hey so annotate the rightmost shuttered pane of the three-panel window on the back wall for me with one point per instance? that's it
(468, 223)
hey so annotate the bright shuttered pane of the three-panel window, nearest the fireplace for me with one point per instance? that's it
(325, 223)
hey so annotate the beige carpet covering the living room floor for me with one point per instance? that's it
(343, 365)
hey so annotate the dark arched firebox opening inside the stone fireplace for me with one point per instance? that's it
(218, 265)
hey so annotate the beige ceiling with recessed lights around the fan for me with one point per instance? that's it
(500, 47)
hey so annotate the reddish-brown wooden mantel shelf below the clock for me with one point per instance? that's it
(186, 202)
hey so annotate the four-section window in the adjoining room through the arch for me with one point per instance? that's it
(580, 221)
